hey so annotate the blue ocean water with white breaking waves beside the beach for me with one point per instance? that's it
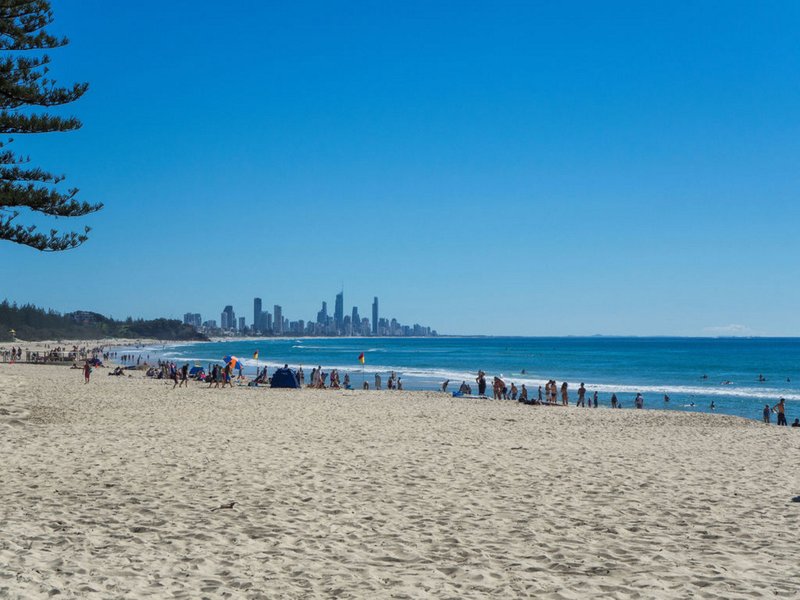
(694, 372)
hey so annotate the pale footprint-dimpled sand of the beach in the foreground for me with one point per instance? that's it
(108, 490)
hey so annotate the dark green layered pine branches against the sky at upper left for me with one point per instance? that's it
(25, 85)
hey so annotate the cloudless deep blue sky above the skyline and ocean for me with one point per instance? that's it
(529, 168)
